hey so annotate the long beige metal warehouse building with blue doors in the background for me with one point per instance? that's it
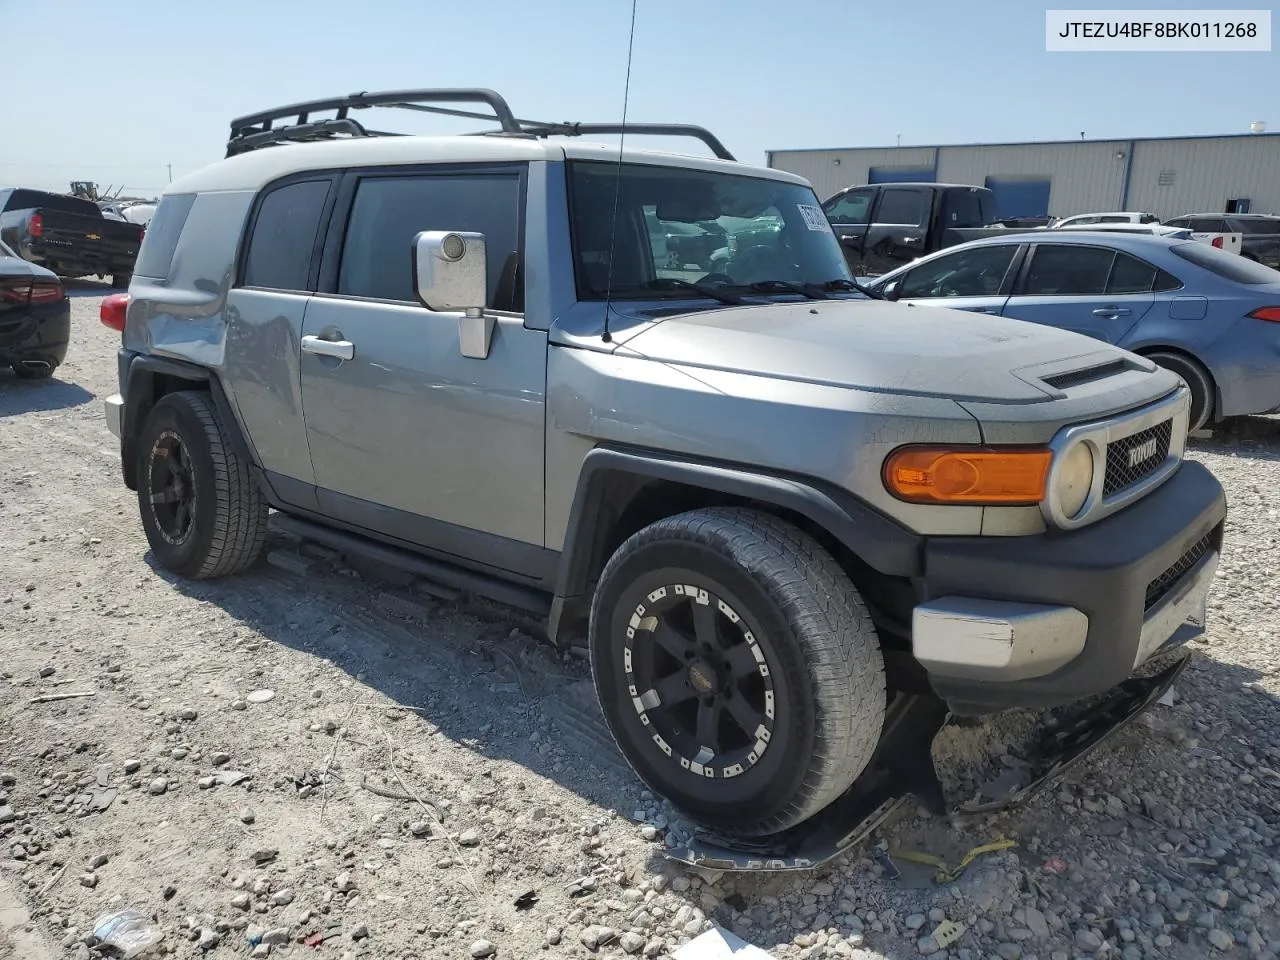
(1167, 176)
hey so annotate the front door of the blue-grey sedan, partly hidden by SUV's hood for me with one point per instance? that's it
(973, 278)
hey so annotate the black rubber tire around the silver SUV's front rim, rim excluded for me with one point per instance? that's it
(824, 659)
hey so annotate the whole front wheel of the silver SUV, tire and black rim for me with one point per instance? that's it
(738, 669)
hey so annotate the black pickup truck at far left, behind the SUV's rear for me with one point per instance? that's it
(68, 236)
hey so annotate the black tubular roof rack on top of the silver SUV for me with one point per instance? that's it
(257, 131)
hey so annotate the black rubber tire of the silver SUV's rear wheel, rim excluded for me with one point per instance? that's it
(228, 515)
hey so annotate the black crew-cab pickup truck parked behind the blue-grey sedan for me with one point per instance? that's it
(885, 226)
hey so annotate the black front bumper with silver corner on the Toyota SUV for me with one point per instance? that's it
(1041, 621)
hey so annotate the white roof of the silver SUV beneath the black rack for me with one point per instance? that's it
(257, 168)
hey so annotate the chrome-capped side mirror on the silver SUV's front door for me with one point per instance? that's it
(450, 276)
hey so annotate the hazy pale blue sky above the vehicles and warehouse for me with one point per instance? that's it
(117, 93)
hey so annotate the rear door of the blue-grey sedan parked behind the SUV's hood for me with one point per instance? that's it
(1091, 290)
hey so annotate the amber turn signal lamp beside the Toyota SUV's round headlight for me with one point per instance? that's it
(976, 476)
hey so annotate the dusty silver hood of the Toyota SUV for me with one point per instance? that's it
(880, 348)
